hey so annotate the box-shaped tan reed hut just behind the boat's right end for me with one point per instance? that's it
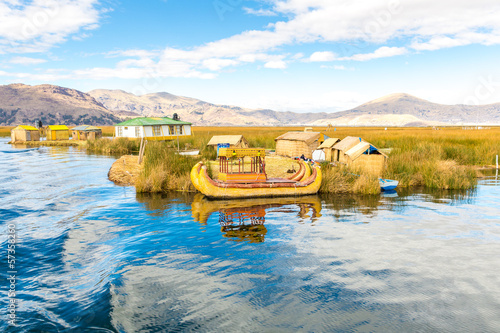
(296, 144)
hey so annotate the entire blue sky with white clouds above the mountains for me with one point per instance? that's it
(285, 55)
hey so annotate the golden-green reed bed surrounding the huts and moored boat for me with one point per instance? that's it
(449, 158)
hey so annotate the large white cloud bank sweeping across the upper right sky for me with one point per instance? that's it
(367, 23)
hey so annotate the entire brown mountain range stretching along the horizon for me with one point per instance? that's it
(20, 103)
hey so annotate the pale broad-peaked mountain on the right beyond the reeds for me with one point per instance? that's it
(407, 110)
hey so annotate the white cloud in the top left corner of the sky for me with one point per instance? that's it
(38, 25)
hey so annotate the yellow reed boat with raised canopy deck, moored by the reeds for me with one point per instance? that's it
(254, 182)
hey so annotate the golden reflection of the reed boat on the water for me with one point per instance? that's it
(243, 220)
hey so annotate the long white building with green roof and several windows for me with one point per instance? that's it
(153, 128)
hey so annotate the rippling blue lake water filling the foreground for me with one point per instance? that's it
(93, 256)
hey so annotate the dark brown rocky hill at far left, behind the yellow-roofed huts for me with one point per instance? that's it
(23, 104)
